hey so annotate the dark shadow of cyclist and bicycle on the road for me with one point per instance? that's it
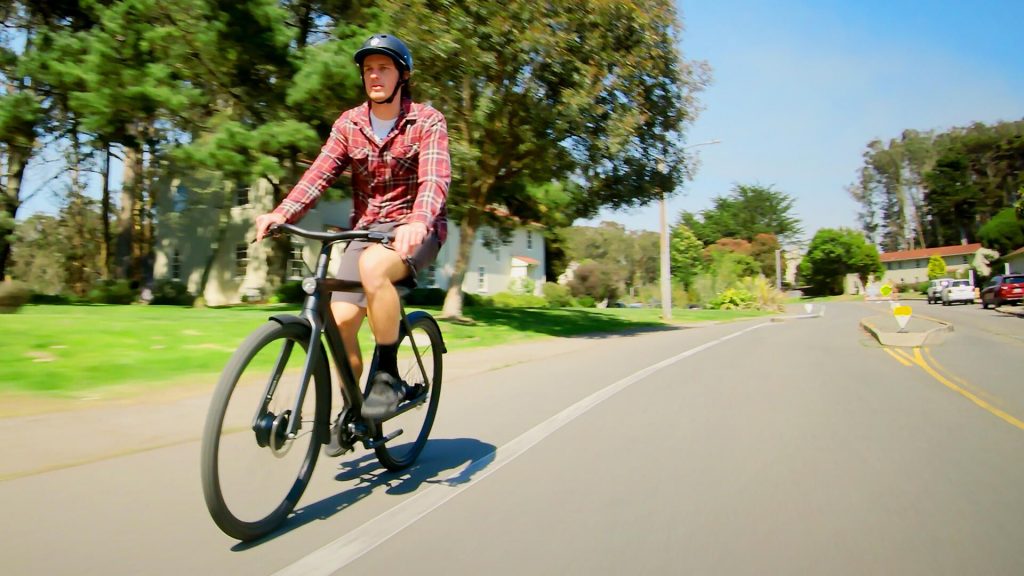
(438, 465)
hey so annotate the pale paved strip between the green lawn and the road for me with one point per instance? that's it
(64, 434)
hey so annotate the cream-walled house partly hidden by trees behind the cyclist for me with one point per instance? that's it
(190, 224)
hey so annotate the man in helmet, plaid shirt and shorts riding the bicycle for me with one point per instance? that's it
(399, 154)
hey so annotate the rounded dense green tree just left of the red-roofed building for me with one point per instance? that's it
(833, 255)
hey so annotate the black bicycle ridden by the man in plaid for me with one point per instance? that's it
(266, 426)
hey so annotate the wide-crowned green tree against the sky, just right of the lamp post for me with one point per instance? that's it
(746, 213)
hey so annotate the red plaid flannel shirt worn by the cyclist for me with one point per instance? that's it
(404, 179)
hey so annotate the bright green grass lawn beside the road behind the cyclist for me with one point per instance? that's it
(71, 350)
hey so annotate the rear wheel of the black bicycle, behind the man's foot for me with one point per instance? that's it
(415, 424)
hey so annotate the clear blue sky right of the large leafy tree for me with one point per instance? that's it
(800, 88)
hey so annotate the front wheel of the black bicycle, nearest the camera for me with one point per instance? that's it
(253, 475)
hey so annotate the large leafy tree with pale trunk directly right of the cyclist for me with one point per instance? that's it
(570, 92)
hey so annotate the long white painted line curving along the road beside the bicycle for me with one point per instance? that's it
(346, 550)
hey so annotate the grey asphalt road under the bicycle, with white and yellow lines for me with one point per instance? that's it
(795, 447)
